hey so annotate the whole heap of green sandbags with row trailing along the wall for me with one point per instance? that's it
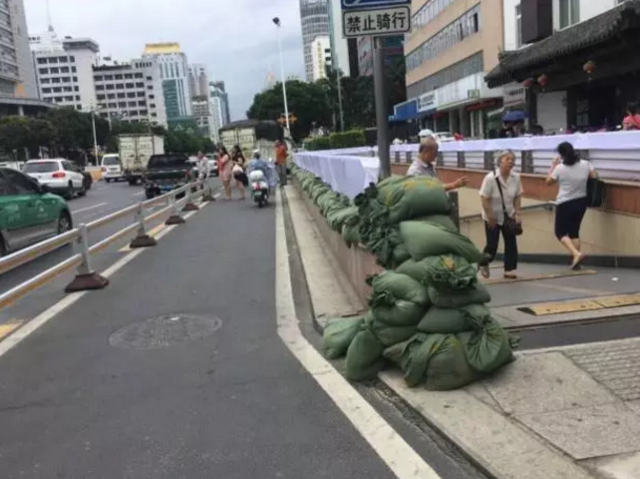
(427, 312)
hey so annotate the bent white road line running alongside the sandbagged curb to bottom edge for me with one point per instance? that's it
(388, 444)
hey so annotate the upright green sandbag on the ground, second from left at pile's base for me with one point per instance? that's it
(364, 357)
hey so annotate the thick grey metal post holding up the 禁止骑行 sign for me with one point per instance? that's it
(382, 119)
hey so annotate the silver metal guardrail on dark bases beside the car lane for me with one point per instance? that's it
(86, 277)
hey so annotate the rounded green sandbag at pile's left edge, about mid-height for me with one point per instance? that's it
(390, 286)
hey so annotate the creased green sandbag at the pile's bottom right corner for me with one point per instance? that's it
(489, 349)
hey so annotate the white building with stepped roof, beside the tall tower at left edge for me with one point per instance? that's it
(64, 70)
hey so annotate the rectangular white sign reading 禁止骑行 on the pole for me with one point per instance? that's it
(378, 22)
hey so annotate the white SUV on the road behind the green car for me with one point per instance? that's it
(61, 176)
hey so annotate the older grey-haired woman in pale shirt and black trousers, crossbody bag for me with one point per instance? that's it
(501, 196)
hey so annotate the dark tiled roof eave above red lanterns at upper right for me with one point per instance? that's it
(582, 36)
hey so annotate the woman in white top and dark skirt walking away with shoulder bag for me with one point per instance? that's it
(572, 175)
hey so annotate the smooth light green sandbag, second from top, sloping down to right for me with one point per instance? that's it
(424, 239)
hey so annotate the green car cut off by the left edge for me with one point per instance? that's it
(28, 212)
